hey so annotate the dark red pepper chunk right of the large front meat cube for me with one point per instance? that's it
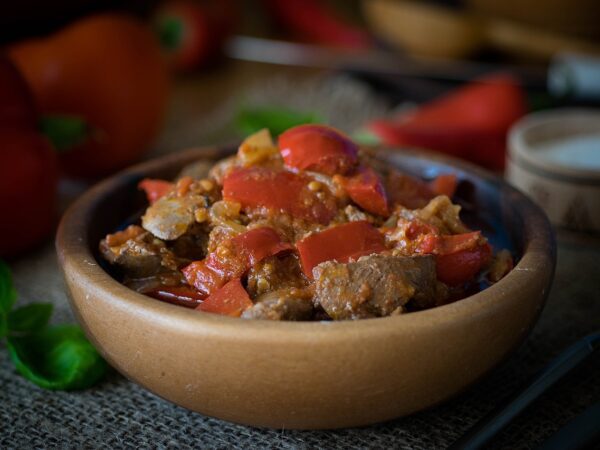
(459, 267)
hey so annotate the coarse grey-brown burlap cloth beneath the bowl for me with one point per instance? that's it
(119, 414)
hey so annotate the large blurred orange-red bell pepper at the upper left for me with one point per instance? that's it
(105, 76)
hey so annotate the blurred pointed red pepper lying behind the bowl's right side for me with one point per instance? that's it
(470, 123)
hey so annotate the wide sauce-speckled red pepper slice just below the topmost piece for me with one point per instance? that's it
(278, 190)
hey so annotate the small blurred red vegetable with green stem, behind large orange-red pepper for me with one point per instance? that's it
(192, 32)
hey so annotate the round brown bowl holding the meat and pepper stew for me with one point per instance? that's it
(308, 375)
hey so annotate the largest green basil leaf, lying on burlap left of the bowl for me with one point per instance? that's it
(58, 358)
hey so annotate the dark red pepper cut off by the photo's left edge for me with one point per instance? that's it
(28, 168)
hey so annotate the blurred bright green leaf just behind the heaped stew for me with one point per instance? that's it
(277, 120)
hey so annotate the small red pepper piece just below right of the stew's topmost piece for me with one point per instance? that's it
(366, 190)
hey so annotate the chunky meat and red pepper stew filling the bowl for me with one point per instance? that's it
(309, 229)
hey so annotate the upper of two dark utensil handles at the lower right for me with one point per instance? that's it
(491, 424)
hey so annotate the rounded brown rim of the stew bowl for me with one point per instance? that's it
(75, 257)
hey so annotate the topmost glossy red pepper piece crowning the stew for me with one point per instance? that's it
(318, 148)
